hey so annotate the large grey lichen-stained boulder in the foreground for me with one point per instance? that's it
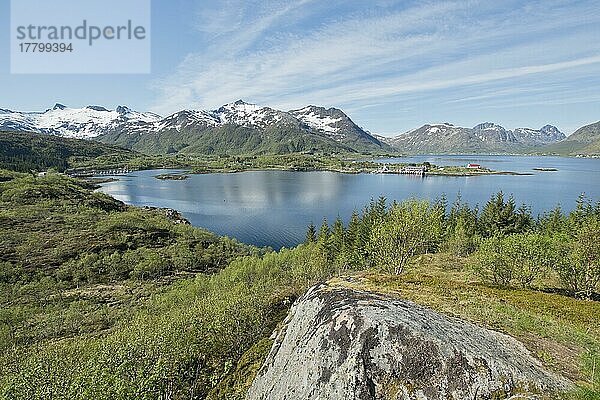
(340, 343)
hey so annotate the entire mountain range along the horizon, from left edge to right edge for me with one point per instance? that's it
(240, 127)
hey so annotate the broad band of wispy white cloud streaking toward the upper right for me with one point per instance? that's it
(375, 56)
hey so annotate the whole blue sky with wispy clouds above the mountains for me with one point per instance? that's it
(391, 65)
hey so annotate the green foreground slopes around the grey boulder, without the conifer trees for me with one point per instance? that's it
(113, 334)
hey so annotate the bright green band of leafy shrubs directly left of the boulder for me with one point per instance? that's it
(181, 345)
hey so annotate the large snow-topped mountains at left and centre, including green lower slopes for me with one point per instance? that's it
(236, 127)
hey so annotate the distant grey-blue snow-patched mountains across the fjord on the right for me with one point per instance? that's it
(484, 137)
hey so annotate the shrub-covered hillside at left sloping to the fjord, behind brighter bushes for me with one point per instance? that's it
(74, 262)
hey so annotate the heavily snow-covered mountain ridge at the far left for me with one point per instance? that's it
(80, 123)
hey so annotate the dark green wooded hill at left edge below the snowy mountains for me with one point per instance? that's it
(22, 151)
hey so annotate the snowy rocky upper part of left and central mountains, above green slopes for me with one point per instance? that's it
(106, 125)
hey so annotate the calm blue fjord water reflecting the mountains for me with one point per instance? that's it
(273, 208)
